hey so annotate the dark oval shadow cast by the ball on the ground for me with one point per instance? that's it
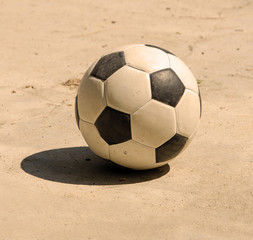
(79, 165)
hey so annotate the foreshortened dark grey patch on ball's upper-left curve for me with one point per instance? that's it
(108, 64)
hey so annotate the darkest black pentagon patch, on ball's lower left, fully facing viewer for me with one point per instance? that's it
(114, 126)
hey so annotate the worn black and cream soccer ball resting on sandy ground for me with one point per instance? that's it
(138, 106)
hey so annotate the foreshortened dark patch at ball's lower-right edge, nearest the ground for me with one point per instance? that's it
(171, 148)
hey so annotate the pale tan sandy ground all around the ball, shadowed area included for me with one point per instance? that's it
(53, 188)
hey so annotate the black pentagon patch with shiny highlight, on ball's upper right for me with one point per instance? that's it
(166, 87)
